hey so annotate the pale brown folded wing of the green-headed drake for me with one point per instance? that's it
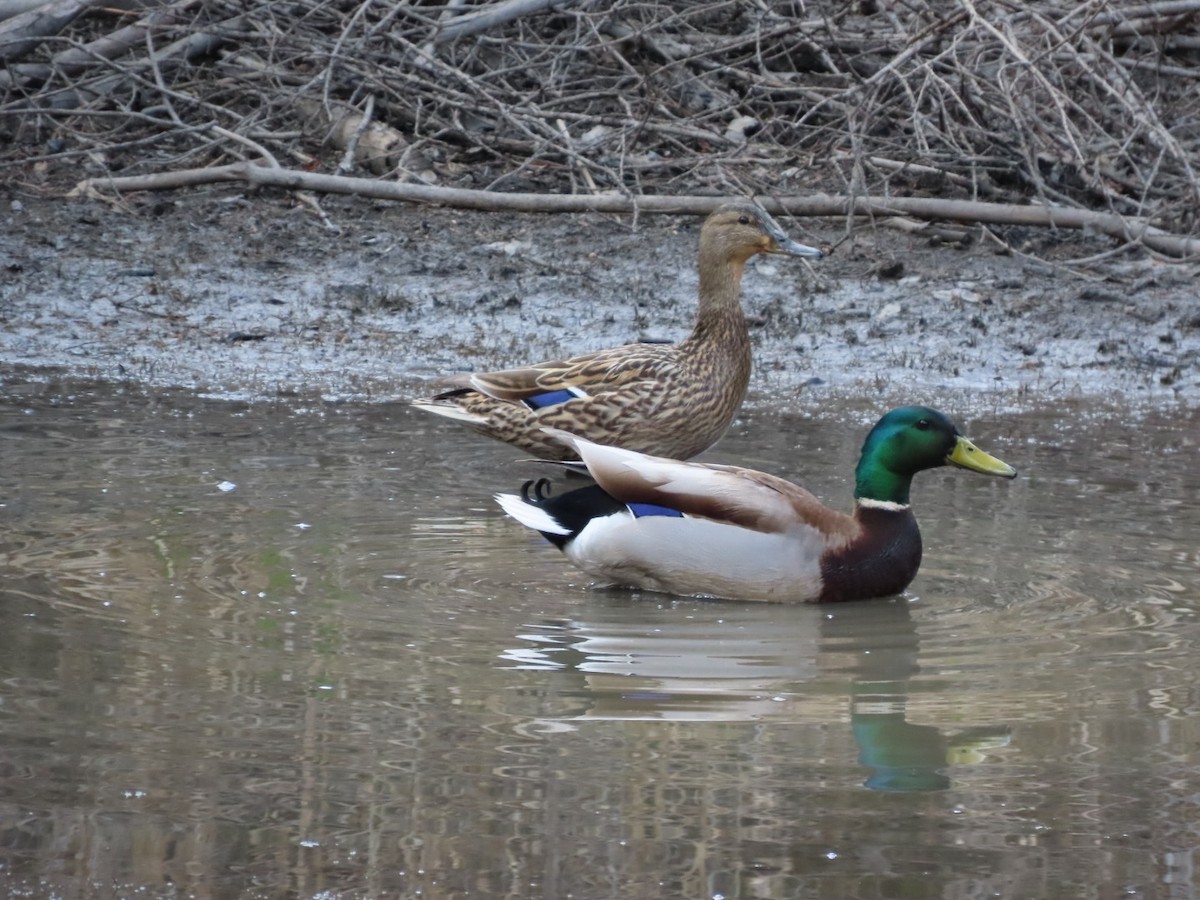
(723, 494)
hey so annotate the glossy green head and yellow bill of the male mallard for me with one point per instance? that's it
(910, 440)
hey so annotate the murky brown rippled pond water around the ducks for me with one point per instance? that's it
(279, 650)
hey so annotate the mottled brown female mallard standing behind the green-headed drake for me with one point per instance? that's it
(670, 400)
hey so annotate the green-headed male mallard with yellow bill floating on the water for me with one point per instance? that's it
(727, 532)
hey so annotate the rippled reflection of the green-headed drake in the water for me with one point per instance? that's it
(745, 663)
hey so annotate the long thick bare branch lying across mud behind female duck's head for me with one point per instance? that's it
(1130, 231)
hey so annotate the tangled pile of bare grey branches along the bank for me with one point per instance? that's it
(1081, 104)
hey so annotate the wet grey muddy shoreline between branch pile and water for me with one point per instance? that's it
(254, 297)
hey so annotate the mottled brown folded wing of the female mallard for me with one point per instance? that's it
(584, 376)
